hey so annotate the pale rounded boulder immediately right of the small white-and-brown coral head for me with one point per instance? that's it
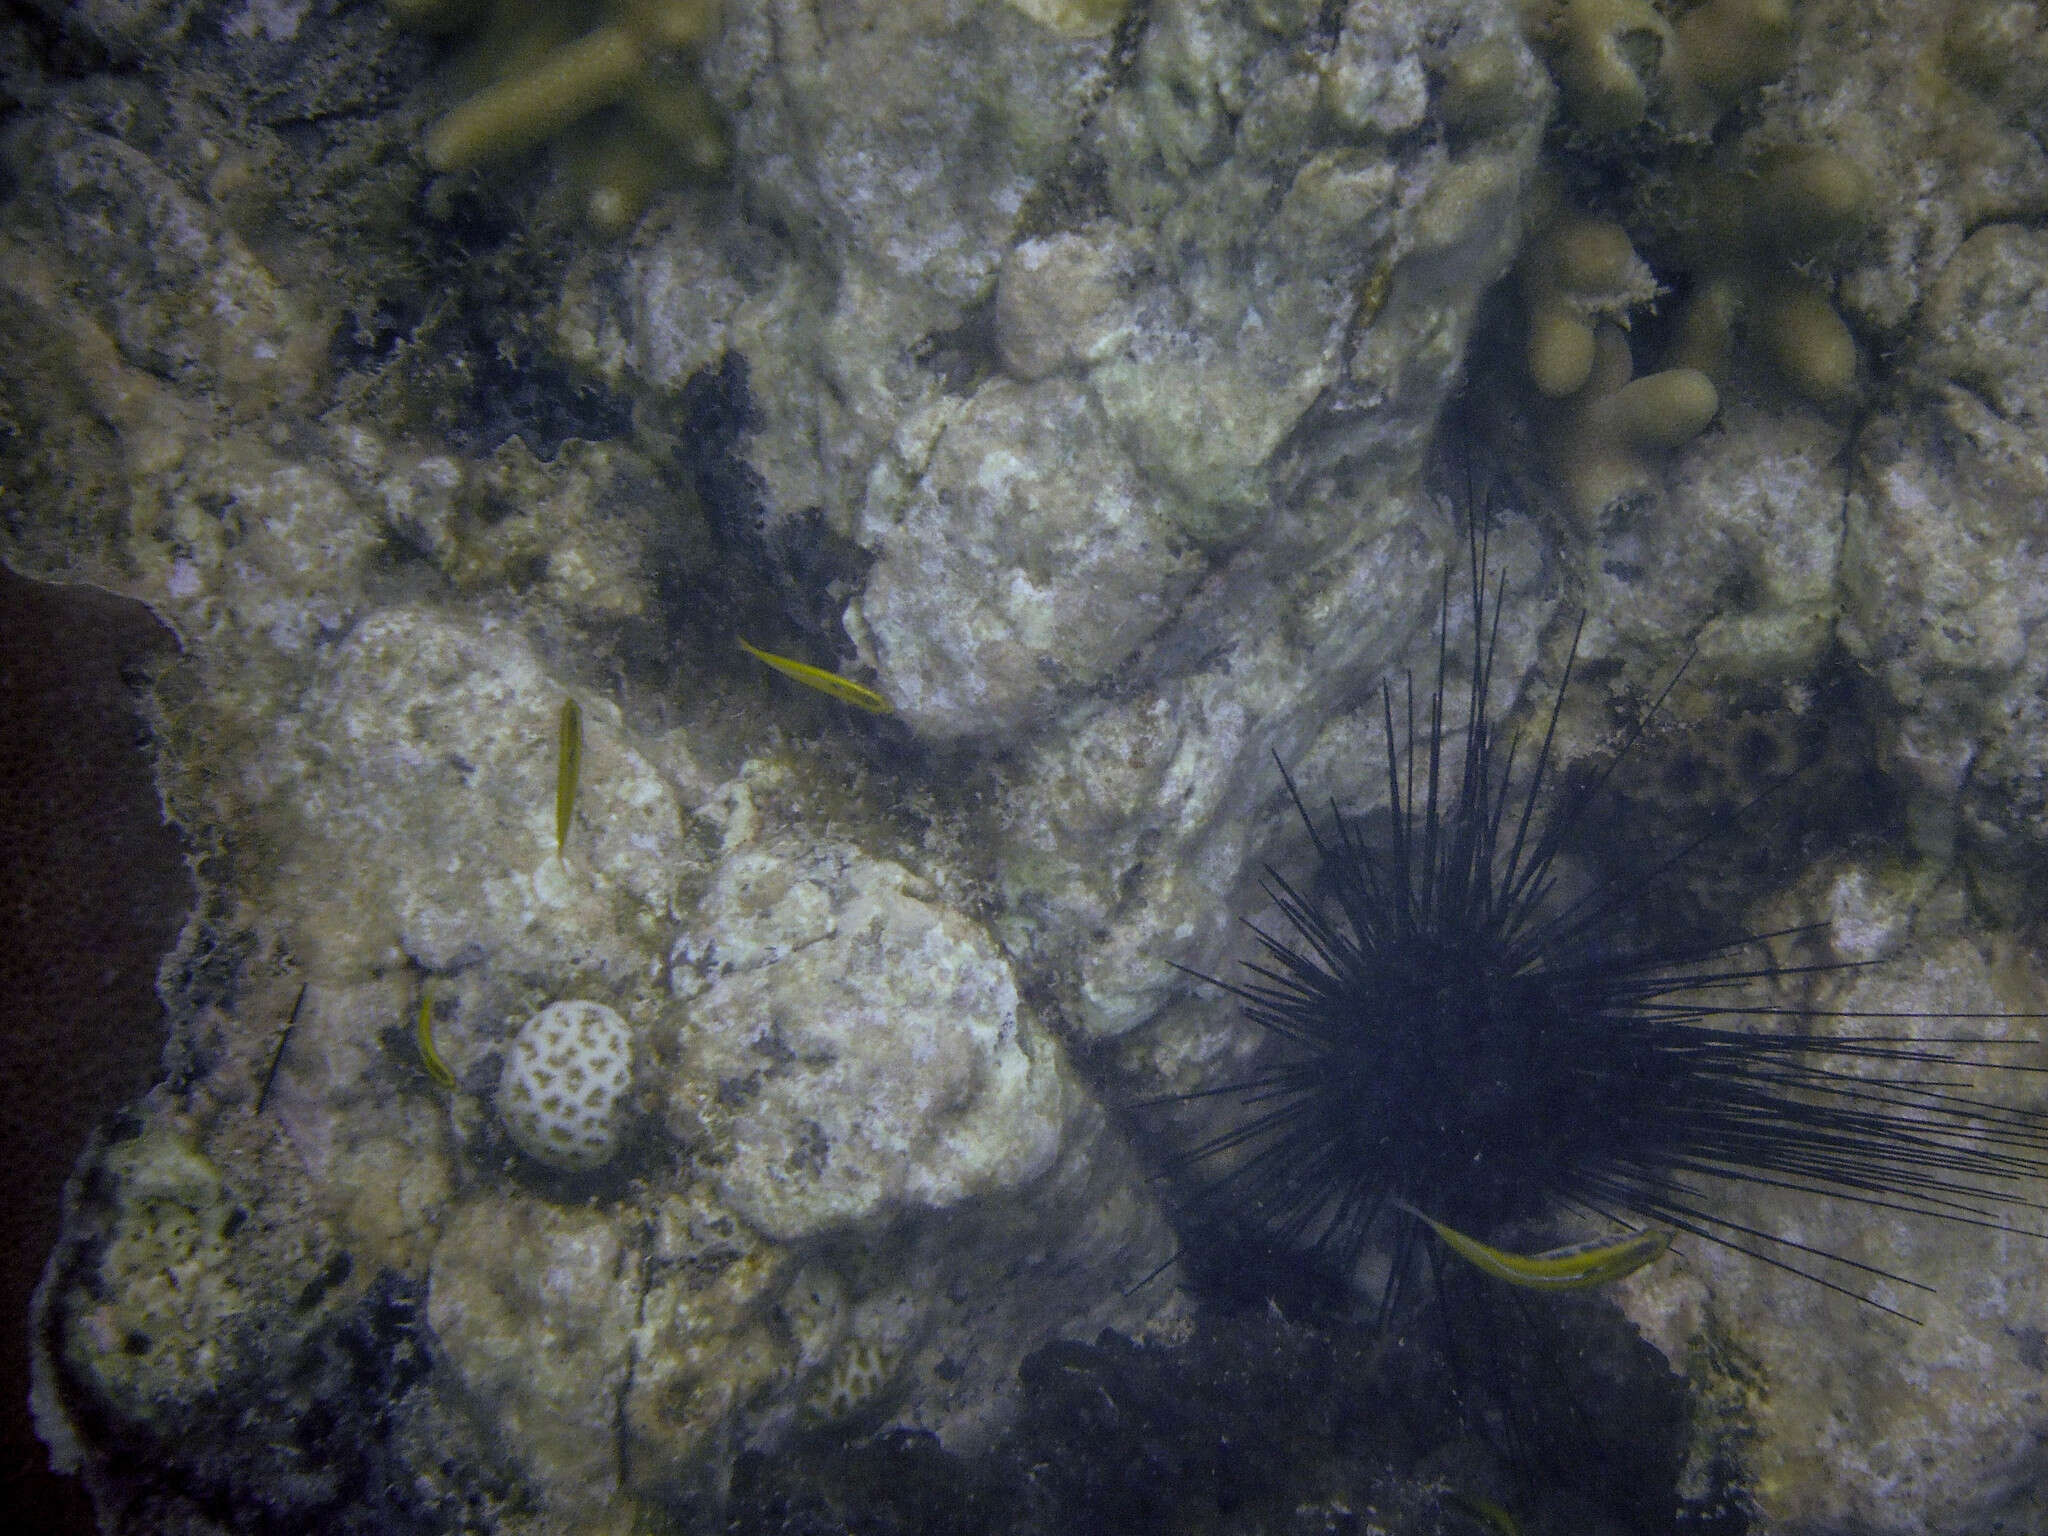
(867, 1048)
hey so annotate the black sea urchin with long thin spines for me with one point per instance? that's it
(1455, 1035)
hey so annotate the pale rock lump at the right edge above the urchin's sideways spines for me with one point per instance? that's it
(1947, 564)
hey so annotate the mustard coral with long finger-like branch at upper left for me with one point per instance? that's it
(622, 87)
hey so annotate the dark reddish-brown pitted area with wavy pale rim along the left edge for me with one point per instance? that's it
(95, 894)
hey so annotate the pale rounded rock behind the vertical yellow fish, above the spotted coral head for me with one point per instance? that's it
(433, 835)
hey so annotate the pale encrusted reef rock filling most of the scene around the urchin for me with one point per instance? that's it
(1070, 374)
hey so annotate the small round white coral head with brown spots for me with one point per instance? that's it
(564, 1082)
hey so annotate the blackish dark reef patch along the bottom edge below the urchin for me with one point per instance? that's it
(1265, 1422)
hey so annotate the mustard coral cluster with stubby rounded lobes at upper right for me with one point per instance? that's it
(1750, 232)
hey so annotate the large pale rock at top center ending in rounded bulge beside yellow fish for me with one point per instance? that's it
(1207, 329)
